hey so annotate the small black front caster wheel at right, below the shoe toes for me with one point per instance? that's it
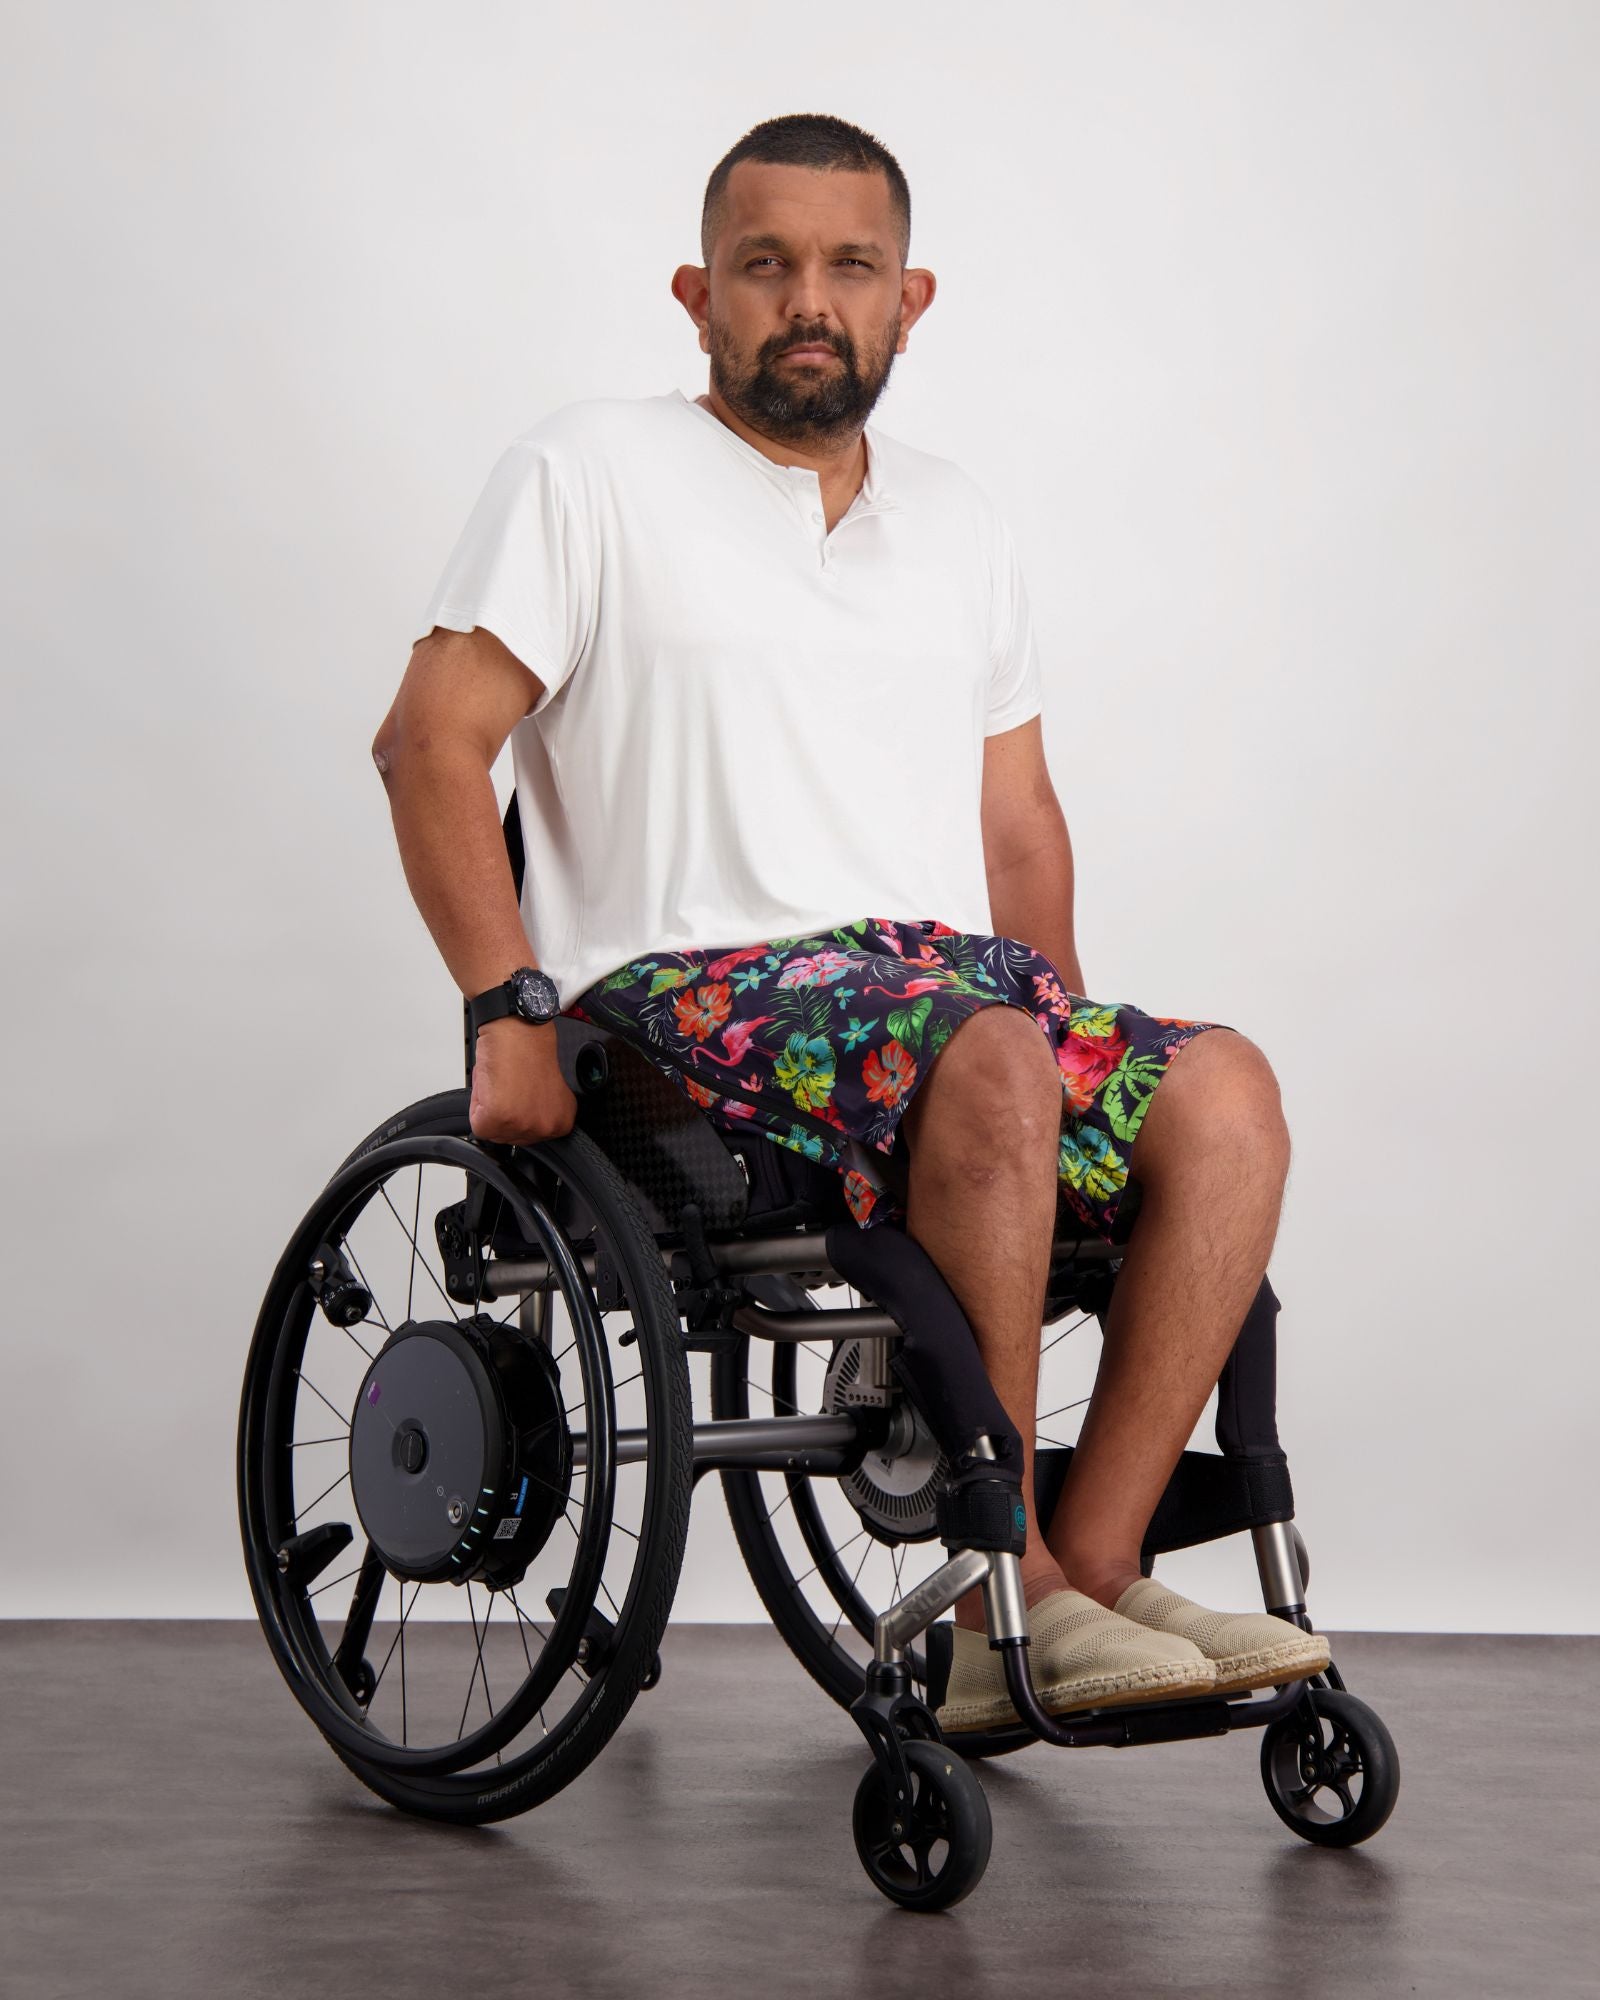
(1331, 1769)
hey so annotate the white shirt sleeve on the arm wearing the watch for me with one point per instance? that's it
(521, 569)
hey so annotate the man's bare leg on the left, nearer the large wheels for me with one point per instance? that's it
(985, 1133)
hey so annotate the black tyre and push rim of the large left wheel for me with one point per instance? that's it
(511, 1779)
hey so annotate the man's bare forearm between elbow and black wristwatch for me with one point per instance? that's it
(447, 825)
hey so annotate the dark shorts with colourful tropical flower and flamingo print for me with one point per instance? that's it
(819, 1043)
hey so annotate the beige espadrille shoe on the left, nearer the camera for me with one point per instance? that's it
(1079, 1657)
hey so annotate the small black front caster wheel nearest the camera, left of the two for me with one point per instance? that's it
(933, 1851)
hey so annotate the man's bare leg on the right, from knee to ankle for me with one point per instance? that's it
(1213, 1157)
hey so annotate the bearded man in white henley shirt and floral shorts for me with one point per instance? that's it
(773, 693)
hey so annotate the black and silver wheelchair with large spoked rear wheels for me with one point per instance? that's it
(467, 1455)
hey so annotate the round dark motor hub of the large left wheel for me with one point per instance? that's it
(461, 1459)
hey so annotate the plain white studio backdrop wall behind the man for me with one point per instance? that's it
(1273, 333)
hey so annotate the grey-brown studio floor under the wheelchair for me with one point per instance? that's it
(175, 1827)
